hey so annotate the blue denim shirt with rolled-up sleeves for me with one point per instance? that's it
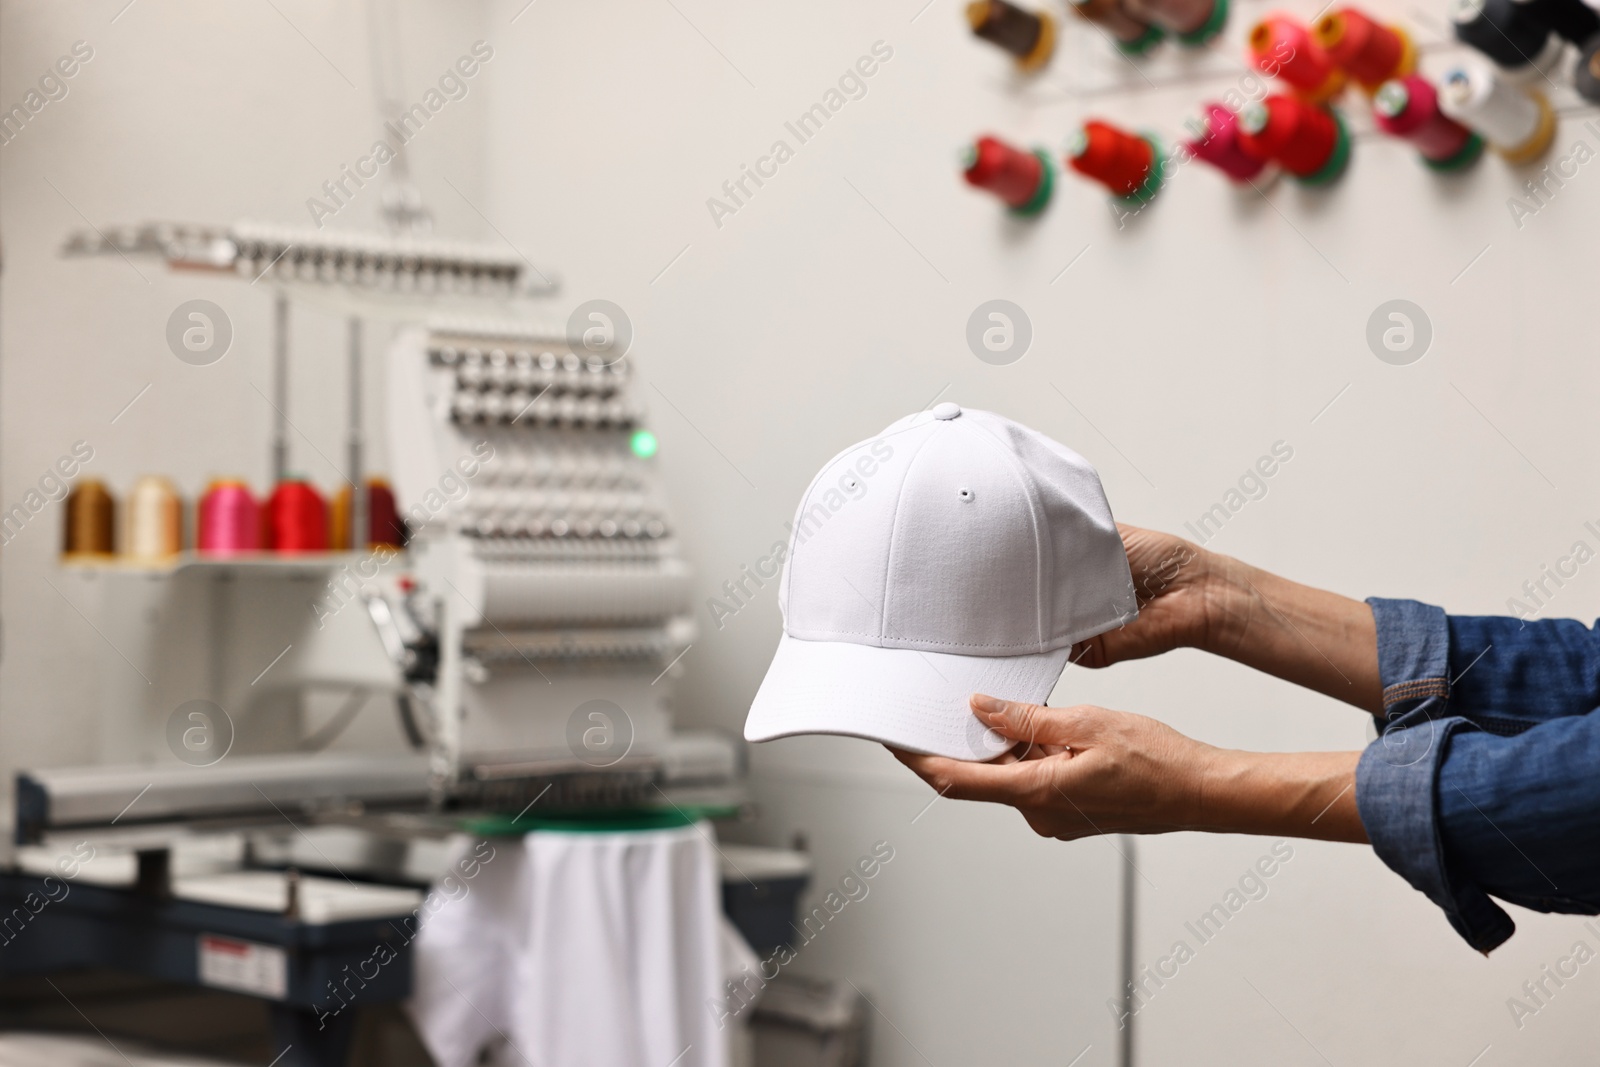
(1486, 777)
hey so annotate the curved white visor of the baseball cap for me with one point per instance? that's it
(900, 697)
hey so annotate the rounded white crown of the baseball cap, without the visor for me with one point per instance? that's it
(958, 533)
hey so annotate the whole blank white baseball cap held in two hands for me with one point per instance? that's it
(958, 553)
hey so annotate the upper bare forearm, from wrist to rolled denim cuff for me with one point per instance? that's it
(1306, 636)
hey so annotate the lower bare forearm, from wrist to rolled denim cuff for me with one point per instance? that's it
(1284, 794)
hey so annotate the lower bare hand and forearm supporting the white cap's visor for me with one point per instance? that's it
(1086, 770)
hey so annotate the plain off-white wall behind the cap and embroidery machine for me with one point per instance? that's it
(1172, 353)
